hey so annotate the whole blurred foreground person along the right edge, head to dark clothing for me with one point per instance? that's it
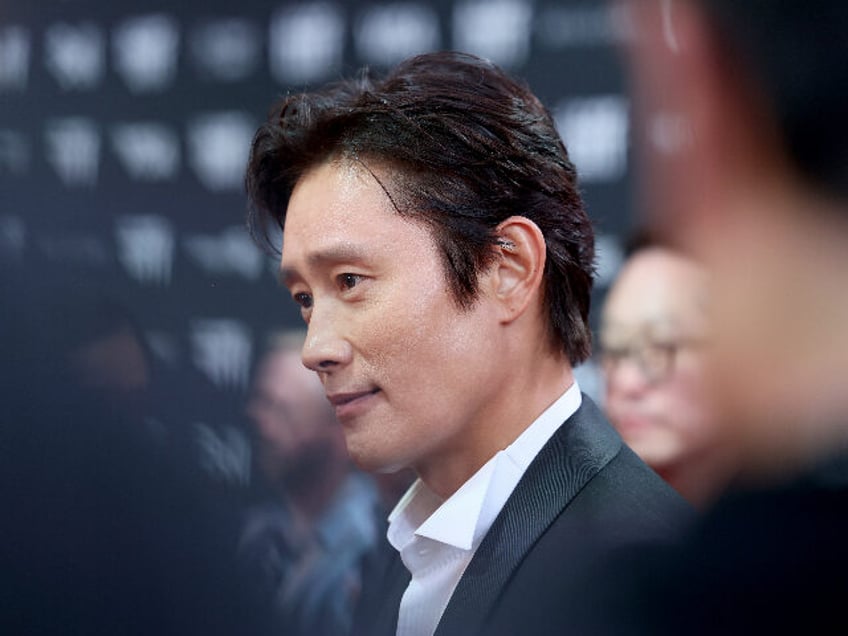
(755, 183)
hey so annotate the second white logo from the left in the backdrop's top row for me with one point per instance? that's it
(75, 55)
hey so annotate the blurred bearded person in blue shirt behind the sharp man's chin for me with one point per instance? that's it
(306, 542)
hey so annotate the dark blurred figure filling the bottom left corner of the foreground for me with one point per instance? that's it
(101, 532)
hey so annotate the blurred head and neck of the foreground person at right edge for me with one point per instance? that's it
(745, 151)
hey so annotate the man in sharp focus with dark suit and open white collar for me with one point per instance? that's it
(435, 241)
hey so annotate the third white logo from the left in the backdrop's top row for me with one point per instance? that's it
(145, 50)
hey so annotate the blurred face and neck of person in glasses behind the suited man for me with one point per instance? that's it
(654, 329)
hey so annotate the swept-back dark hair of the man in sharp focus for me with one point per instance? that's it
(468, 147)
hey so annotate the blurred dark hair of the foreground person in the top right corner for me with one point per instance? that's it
(797, 51)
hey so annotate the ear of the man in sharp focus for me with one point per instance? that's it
(520, 264)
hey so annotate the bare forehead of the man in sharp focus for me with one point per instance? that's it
(339, 211)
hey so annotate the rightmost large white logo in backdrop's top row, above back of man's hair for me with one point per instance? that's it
(498, 30)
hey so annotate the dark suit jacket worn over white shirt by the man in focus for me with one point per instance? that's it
(585, 495)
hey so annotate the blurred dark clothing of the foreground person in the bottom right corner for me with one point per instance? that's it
(770, 557)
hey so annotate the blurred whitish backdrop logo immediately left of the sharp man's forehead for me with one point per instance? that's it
(230, 252)
